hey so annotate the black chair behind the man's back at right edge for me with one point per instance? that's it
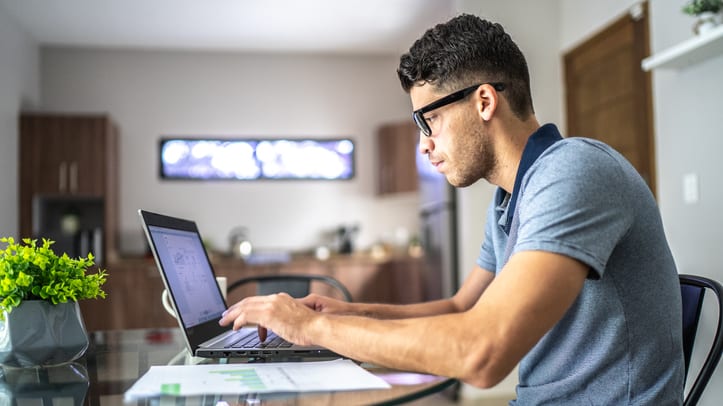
(693, 289)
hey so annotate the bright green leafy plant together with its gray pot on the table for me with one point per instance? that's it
(40, 321)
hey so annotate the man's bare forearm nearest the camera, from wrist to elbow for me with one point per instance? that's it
(421, 344)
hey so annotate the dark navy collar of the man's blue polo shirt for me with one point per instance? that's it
(538, 142)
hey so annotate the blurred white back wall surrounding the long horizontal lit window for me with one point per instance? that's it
(151, 94)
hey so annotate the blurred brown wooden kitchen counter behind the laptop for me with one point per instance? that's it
(134, 285)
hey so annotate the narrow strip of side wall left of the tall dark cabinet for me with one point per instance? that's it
(18, 87)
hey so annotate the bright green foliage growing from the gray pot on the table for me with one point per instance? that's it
(34, 272)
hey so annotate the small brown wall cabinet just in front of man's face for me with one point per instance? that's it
(397, 153)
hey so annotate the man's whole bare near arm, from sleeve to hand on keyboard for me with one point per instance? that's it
(479, 346)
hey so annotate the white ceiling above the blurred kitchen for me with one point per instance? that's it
(307, 26)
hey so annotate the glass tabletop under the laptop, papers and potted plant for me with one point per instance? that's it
(116, 359)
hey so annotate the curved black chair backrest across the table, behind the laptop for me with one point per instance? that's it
(296, 285)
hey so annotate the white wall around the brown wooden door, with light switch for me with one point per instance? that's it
(689, 136)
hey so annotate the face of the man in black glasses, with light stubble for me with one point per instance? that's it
(460, 145)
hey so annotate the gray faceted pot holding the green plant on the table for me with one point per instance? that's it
(39, 334)
